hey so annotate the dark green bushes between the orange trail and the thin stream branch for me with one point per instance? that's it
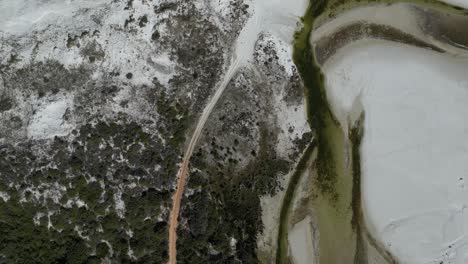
(226, 207)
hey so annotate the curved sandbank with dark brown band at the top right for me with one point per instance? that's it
(428, 25)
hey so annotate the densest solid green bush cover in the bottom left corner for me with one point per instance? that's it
(24, 242)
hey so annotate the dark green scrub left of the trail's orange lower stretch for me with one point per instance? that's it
(102, 160)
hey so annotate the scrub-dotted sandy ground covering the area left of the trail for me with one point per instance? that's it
(102, 191)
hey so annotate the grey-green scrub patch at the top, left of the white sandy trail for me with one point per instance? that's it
(198, 45)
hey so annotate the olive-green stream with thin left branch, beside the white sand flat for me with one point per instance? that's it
(336, 168)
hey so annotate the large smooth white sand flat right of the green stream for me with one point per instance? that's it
(414, 150)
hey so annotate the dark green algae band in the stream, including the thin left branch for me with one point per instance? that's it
(318, 112)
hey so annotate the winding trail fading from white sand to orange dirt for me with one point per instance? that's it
(270, 15)
